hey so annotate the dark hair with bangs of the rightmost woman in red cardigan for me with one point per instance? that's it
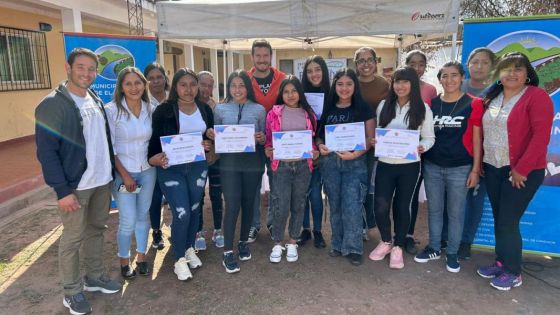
(515, 59)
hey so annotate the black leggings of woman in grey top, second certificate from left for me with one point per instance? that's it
(240, 189)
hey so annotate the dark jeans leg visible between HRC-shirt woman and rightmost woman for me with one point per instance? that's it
(473, 211)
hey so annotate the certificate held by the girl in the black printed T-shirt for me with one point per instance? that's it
(345, 137)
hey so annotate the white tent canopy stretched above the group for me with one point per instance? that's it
(290, 24)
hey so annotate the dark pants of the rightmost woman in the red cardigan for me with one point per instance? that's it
(508, 205)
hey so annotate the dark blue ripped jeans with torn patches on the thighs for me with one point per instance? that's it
(183, 185)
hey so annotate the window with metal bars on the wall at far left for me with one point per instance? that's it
(23, 60)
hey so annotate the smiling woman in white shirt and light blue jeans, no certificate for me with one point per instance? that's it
(130, 121)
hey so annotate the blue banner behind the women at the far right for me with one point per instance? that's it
(538, 38)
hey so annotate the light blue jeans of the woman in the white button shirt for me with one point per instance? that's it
(133, 212)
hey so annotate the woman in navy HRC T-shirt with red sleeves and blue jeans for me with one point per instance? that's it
(452, 166)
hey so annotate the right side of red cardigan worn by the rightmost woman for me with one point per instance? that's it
(528, 126)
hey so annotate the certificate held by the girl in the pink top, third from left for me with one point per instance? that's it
(292, 145)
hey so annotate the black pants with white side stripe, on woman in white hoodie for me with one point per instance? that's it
(399, 180)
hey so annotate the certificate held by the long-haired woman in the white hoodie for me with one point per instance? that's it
(397, 143)
